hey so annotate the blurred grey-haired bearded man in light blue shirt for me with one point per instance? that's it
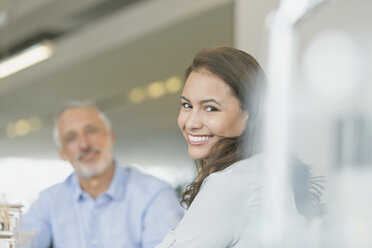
(101, 204)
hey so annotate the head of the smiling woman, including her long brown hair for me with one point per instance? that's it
(221, 101)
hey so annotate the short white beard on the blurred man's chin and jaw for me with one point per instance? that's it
(90, 171)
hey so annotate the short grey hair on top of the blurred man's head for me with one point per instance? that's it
(86, 104)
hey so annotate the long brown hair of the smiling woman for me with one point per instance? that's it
(246, 79)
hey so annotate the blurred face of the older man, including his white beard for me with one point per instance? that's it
(85, 141)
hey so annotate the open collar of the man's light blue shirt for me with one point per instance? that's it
(116, 189)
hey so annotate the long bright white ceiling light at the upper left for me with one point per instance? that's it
(26, 58)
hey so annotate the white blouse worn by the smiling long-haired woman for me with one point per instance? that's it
(225, 211)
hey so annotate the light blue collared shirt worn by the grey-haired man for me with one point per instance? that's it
(135, 212)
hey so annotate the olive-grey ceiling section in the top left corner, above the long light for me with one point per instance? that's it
(25, 22)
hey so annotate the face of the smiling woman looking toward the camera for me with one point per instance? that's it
(209, 111)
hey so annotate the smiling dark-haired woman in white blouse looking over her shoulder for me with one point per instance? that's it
(220, 118)
